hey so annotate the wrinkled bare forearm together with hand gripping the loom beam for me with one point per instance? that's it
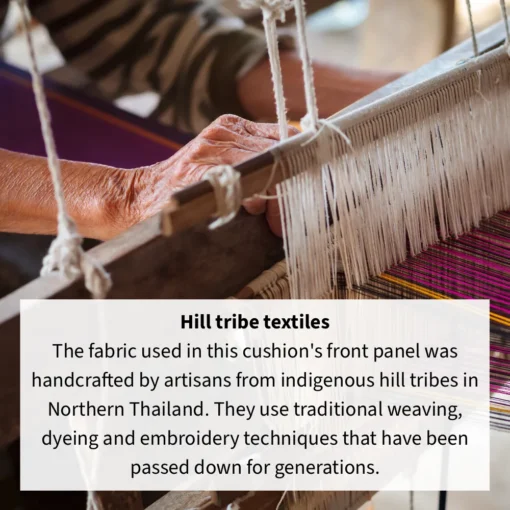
(104, 201)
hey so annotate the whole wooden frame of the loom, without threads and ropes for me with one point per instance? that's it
(189, 261)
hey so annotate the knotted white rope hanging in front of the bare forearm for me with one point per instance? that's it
(65, 254)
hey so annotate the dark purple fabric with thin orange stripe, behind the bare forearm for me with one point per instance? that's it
(85, 129)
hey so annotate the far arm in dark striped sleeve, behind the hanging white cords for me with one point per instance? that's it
(202, 61)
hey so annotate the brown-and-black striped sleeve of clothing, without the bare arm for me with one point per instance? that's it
(189, 52)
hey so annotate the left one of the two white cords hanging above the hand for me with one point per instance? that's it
(271, 11)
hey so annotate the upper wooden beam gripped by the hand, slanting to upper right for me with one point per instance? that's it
(198, 202)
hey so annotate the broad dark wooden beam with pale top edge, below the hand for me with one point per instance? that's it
(199, 263)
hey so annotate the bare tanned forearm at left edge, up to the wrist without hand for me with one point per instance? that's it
(27, 203)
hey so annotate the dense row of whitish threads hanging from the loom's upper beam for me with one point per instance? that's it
(364, 209)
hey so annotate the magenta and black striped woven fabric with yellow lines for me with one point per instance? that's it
(474, 266)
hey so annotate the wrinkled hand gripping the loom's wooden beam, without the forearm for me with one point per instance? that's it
(229, 140)
